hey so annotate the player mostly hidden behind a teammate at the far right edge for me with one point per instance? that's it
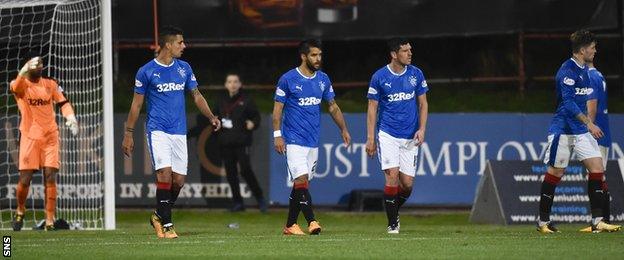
(598, 113)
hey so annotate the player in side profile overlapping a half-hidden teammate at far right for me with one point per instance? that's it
(572, 131)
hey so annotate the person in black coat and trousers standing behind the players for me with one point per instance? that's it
(239, 117)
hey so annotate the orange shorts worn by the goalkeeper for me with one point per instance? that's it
(37, 153)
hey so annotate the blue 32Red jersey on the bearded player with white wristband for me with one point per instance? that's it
(302, 97)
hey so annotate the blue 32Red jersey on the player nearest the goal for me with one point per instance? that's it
(163, 87)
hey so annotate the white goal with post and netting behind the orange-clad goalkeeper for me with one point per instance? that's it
(74, 37)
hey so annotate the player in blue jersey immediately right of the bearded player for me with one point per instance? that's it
(398, 109)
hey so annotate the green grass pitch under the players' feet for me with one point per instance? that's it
(205, 234)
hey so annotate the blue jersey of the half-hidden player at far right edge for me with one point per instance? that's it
(599, 85)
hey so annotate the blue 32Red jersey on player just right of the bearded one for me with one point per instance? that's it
(397, 96)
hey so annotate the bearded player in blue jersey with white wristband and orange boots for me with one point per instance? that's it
(297, 104)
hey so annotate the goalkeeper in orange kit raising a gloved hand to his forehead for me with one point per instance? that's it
(39, 134)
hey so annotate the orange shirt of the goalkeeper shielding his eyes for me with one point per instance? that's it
(35, 101)
